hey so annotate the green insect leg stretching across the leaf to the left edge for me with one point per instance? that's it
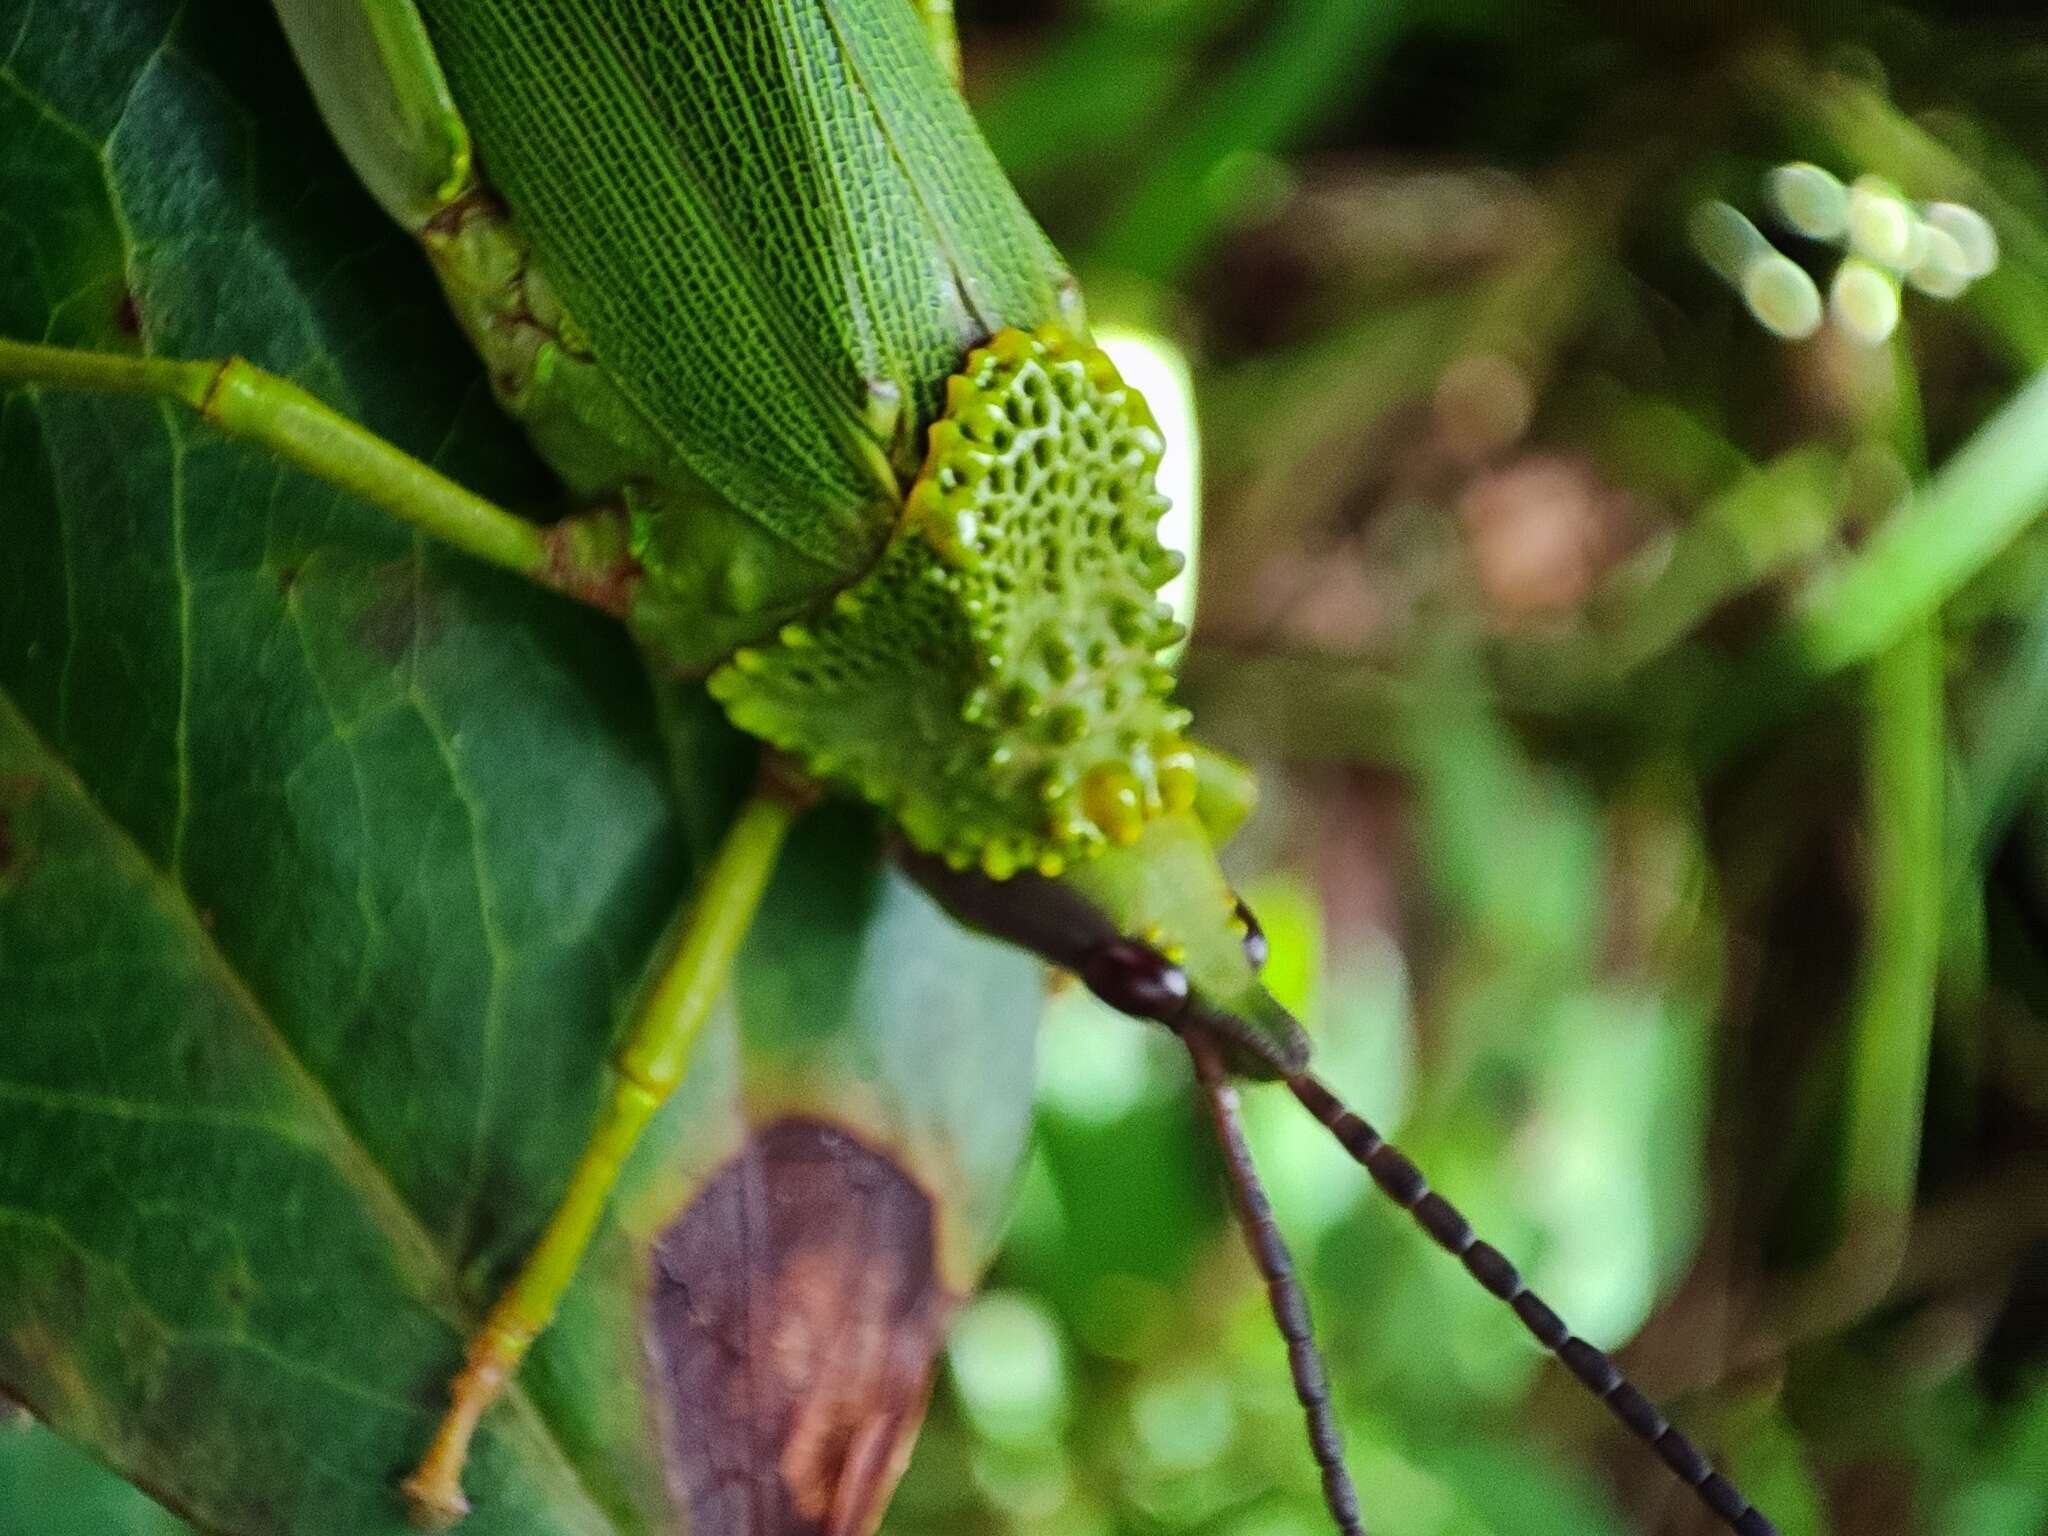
(314, 437)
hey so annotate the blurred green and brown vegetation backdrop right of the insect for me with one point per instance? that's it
(1654, 714)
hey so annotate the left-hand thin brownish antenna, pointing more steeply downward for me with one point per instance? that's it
(1283, 1289)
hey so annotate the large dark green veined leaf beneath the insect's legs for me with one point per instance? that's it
(329, 867)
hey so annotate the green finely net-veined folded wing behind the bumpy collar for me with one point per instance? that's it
(773, 220)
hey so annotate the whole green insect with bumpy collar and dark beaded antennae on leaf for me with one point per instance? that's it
(839, 439)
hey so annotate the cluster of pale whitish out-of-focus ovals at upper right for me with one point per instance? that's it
(1936, 249)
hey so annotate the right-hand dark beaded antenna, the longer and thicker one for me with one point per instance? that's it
(1408, 1189)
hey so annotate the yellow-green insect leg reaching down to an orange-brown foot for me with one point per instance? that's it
(650, 1066)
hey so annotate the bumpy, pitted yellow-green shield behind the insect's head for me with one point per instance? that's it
(996, 681)
